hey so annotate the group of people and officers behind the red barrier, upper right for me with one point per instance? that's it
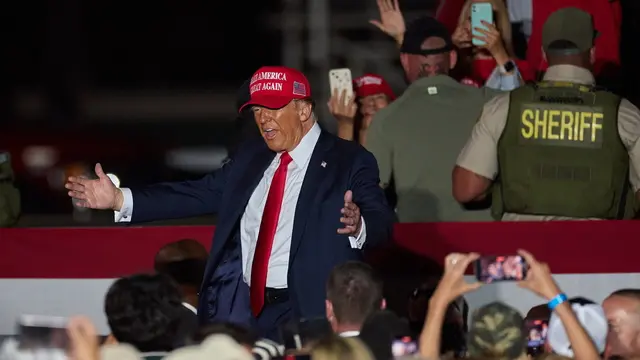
(436, 116)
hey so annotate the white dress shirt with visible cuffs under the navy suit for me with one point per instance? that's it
(252, 217)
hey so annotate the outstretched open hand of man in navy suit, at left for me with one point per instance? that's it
(100, 193)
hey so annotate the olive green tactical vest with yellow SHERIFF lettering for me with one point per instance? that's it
(560, 154)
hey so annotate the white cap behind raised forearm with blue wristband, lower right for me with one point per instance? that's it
(592, 319)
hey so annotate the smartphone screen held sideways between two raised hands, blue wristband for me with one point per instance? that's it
(491, 269)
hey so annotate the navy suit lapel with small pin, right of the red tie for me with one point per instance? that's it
(315, 180)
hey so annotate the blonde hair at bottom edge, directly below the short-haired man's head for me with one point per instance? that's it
(340, 348)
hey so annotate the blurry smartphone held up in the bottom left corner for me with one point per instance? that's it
(38, 332)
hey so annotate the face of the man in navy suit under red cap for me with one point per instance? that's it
(283, 129)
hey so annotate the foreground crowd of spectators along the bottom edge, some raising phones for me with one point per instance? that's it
(153, 316)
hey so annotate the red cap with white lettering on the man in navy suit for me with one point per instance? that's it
(275, 86)
